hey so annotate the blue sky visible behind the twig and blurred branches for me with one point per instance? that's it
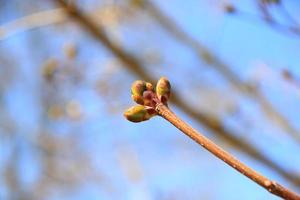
(171, 165)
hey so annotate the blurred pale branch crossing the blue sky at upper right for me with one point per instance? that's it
(205, 54)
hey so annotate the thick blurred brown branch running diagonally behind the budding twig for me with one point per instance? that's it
(136, 67)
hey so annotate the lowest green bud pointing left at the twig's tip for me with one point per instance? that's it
(138, 113)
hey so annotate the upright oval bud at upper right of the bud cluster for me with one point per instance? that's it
(163, 89)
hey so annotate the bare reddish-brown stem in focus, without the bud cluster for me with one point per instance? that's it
(268, 184)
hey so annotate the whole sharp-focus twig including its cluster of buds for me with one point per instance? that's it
(155, 103)
